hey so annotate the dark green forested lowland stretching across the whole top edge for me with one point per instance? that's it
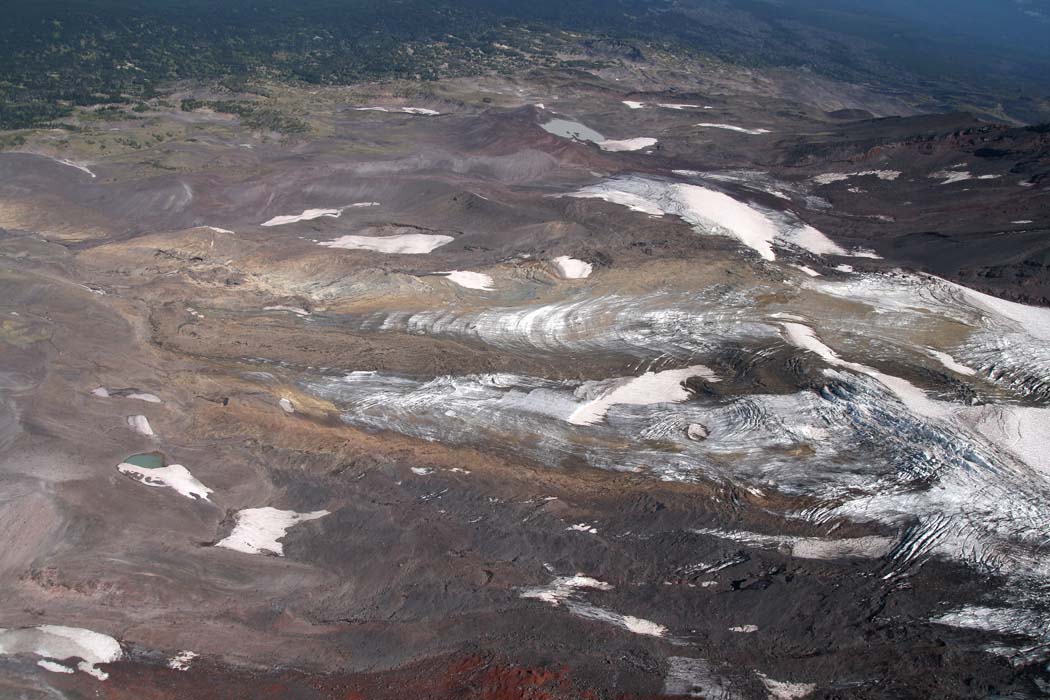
(111, 55)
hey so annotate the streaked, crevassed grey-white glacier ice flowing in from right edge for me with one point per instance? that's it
(874, 434)
